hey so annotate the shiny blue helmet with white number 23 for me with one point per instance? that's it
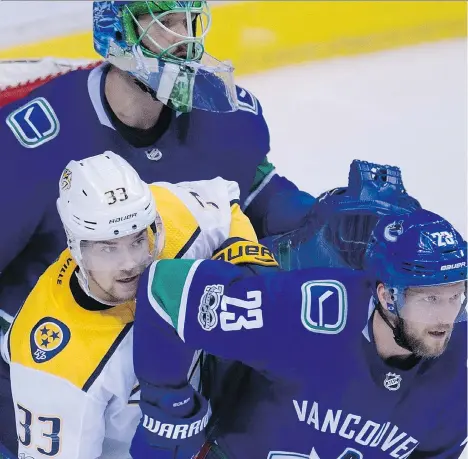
(417, 249)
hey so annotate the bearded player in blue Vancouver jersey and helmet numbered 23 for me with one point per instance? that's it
(361, 364)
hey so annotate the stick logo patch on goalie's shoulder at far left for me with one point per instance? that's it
(34, 124)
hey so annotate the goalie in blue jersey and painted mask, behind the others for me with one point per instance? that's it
(160, 102)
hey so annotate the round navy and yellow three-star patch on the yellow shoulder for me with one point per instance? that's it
(48, 338)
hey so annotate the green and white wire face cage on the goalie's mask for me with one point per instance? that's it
(195, 45)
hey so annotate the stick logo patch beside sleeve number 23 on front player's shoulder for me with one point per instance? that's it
(324, 306)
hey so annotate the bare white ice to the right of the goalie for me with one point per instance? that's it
(404, 107)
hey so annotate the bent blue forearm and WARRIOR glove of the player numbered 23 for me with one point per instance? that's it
(174, 415)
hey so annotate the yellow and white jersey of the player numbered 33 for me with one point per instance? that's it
(73, 383)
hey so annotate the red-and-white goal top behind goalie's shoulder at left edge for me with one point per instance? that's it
(19, 77)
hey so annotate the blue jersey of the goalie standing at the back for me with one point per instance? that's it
(68, 119)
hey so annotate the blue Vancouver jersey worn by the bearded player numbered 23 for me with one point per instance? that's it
(329, 395)
